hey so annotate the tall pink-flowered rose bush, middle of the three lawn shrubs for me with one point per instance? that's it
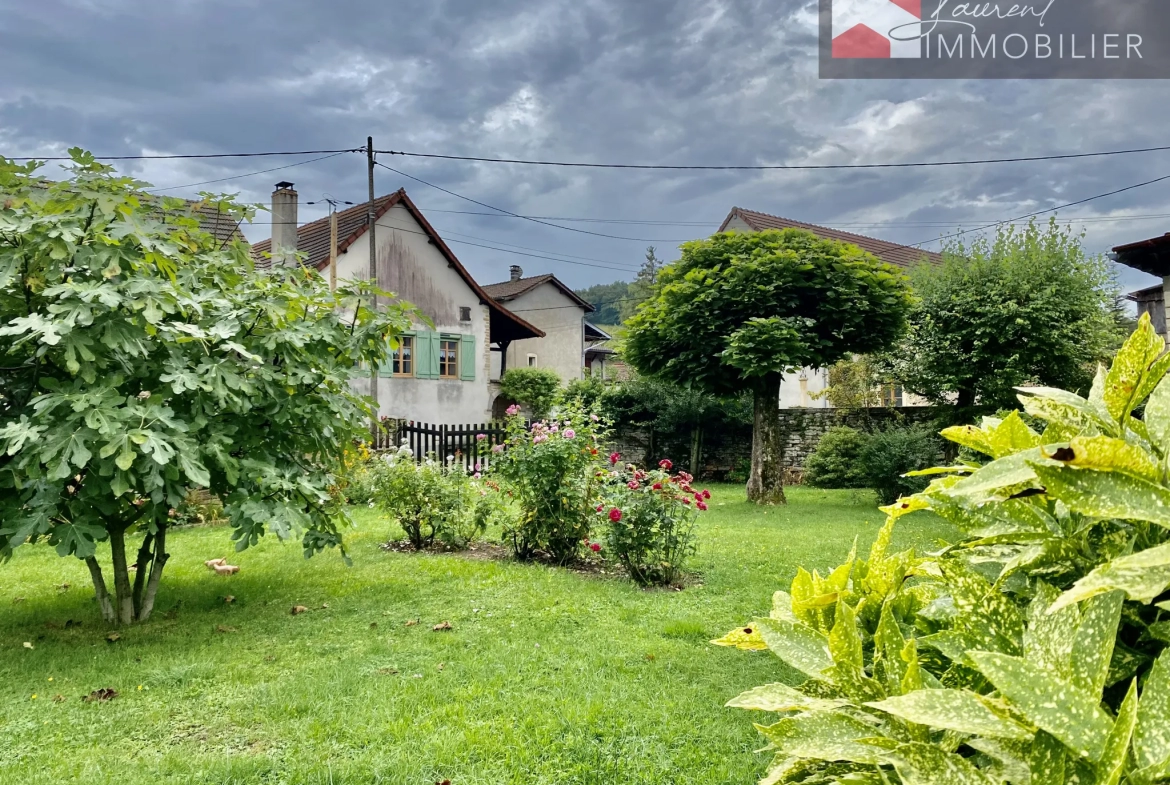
(554, 473)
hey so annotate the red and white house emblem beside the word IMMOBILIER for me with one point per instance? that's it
(877, 29)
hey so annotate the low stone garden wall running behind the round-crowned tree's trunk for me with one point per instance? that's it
(729, 452)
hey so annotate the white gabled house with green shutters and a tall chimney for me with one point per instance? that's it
(443, 371)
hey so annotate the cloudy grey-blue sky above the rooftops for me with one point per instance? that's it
(704, 82)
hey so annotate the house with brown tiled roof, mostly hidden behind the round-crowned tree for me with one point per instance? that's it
(801, 390)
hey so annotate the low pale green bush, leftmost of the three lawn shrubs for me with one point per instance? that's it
(432, 501)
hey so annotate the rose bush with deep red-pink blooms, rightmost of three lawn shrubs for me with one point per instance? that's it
(652, 518)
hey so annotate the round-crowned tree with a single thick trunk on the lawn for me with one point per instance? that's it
(740, 311)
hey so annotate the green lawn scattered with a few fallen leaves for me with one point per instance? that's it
(548, 677)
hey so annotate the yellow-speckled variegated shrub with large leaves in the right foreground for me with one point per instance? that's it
(1034, 650)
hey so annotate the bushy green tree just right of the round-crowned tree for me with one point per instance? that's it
(1028, 307)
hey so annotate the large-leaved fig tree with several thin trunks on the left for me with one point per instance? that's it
(141, 359)
